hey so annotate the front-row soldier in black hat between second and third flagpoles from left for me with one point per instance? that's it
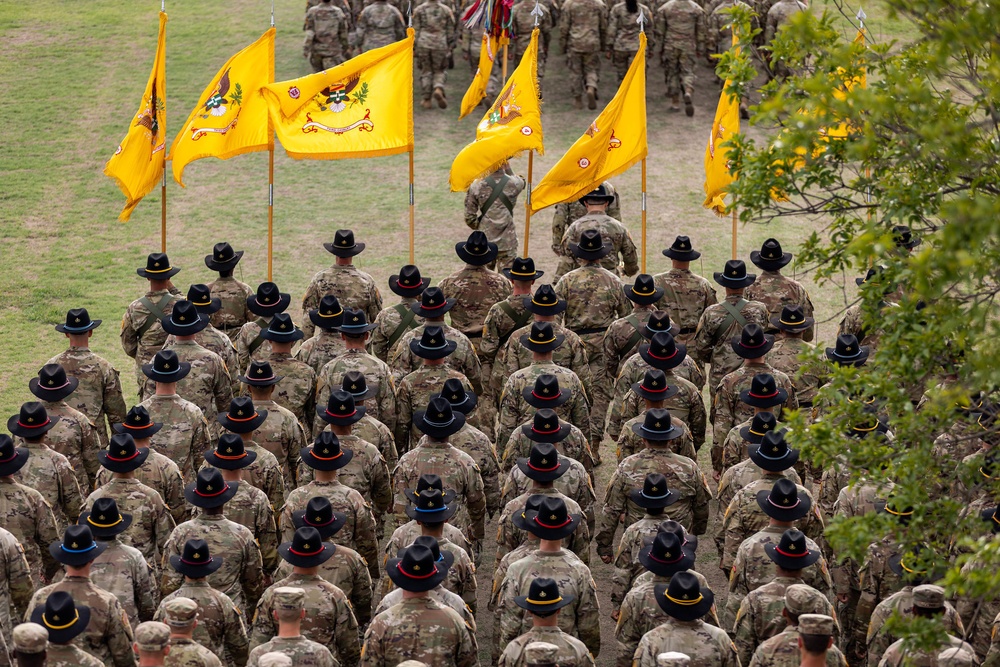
(353, 287)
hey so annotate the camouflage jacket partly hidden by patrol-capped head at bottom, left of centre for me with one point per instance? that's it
(329, 620)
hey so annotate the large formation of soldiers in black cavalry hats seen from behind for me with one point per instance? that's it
(318, 493)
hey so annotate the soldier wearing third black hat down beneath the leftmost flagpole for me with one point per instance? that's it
(186, 434)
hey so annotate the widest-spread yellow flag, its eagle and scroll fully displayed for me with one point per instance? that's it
(361, 108)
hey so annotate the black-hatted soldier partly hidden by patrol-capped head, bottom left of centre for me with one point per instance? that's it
(328, 620)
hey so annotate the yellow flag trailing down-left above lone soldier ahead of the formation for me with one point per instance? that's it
(615, 141)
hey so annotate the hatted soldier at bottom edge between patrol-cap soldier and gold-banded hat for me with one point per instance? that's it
(418, 627)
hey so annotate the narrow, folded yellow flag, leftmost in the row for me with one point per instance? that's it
(137, 165)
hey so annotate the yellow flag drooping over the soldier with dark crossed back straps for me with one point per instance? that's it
(511, 126)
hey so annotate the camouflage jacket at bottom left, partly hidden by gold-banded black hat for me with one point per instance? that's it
(108, 636)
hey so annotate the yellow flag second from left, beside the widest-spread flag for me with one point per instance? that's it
(231, 117)
